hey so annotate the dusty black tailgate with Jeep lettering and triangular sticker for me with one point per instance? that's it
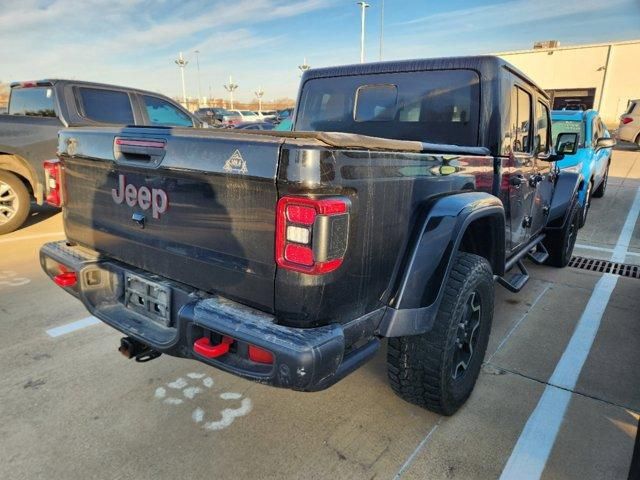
(195, 206)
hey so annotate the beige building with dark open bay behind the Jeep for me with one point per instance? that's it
(604, 76)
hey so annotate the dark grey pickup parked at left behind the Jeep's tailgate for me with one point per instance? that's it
(38, 110)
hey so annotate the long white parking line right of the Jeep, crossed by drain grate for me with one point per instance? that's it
(531, 452)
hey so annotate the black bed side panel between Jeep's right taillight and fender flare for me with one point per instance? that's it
(389, 192)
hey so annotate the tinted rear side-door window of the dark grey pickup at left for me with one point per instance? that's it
(105, 106)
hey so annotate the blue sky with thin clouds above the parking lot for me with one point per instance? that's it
(261, 42)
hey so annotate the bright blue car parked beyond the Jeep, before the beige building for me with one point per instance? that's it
(591, 158)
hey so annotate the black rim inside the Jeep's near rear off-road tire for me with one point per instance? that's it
(466, 335)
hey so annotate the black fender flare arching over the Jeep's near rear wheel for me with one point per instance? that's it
(427, 263)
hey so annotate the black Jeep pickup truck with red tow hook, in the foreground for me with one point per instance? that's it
(405, 192)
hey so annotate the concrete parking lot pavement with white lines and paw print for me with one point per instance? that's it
(71, 407)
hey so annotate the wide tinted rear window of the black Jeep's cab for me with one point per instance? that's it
(437, 106)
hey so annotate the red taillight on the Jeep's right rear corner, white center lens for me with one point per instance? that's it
(311, 235)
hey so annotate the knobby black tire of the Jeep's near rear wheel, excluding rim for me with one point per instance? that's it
(421, 367)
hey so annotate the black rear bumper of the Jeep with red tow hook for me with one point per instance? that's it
(305, 359)
